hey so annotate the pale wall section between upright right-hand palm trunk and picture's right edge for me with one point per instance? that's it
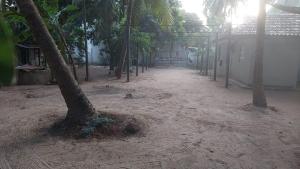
(281, 60)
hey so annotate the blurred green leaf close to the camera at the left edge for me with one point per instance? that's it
(6, 53)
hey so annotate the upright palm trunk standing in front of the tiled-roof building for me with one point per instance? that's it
(259, 98)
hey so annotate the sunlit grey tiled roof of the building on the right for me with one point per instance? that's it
(279, 24)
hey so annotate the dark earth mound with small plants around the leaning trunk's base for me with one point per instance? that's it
(103, 125)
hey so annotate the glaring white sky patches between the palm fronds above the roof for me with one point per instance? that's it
(250, 8)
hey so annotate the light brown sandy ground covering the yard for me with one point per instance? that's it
(192, 123)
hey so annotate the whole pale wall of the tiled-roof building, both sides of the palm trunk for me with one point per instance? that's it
(281, 60)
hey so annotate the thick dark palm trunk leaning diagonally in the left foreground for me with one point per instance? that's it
(79, 107)
